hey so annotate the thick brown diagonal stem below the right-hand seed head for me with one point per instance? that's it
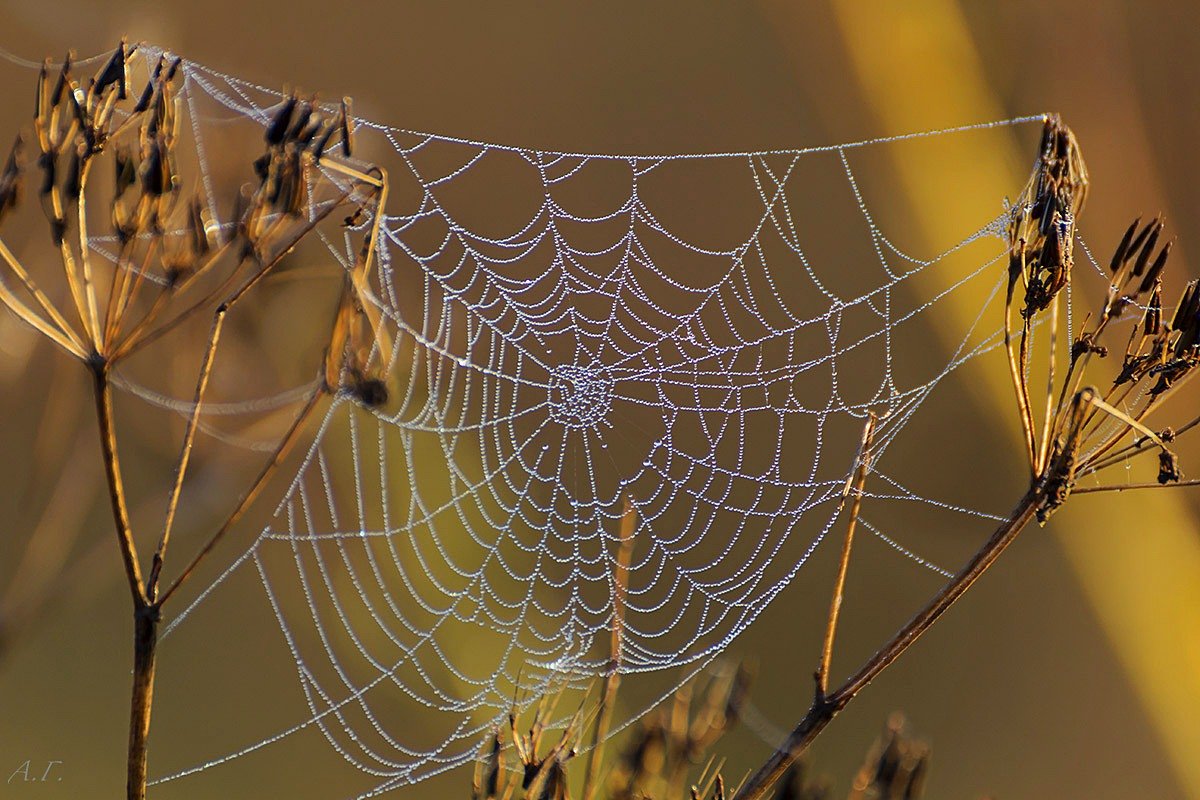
(825, 709)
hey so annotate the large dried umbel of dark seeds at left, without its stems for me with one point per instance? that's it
(175, 258)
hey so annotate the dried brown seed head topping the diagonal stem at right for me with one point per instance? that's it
(1087, 430)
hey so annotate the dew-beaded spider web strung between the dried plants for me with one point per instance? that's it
(581, 342)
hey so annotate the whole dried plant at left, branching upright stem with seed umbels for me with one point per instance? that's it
(175, 261)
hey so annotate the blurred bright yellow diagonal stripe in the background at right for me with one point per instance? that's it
(916, 63)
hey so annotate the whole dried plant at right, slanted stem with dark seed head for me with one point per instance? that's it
(1084, 430)
